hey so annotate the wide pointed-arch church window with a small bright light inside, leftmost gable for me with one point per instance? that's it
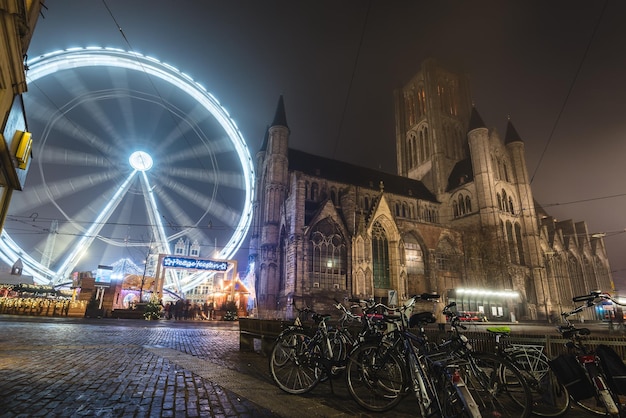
(328, 255)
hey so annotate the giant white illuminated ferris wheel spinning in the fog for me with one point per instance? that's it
(131, 158)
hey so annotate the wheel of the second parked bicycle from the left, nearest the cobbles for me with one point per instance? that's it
(375, 377)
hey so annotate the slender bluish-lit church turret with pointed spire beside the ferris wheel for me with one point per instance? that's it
(272, 165)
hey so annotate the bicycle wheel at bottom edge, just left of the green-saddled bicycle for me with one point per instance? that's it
(496, 385)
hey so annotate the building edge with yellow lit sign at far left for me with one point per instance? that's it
(17, 23)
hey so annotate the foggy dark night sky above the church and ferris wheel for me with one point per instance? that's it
(556, 68)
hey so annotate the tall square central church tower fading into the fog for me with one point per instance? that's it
(432, 113)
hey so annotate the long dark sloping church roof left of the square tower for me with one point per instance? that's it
(357, 176)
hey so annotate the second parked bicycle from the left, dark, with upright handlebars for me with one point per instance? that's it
(379, 374)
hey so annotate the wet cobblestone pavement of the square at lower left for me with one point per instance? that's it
(63, 367)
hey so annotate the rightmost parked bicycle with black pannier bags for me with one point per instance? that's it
(581, 370)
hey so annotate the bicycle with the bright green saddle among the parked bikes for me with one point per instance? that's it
(550, 398)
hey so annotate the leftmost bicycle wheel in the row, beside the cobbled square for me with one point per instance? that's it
(294, 362)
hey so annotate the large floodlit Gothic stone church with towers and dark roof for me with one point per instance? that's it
(458, 218)
